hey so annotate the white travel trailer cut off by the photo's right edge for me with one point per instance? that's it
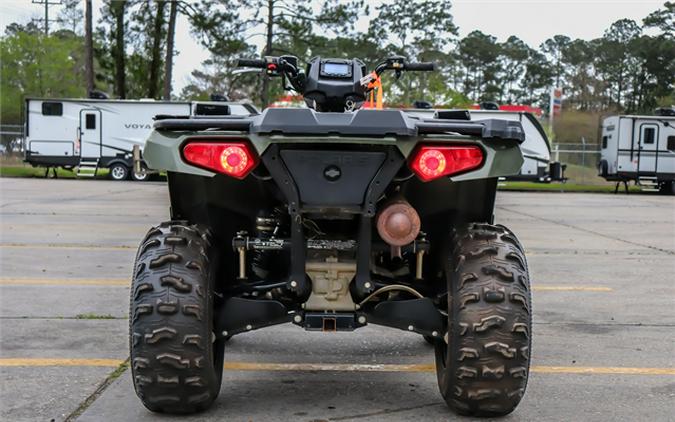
(640, 149)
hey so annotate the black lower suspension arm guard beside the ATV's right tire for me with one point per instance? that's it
(418, 315)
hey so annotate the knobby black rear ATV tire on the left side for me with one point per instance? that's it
(176, 366)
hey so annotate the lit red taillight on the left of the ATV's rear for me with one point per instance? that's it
(233, 158)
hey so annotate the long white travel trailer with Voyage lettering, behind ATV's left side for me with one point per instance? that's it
(91, 134)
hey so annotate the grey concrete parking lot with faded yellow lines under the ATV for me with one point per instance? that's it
(602, 269)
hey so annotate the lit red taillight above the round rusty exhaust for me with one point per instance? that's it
(430, 162)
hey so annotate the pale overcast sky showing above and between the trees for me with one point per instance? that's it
(532, 20)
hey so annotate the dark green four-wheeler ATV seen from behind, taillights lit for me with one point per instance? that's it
(332, 217)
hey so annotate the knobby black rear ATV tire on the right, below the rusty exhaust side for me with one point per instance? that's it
(483, 365)
